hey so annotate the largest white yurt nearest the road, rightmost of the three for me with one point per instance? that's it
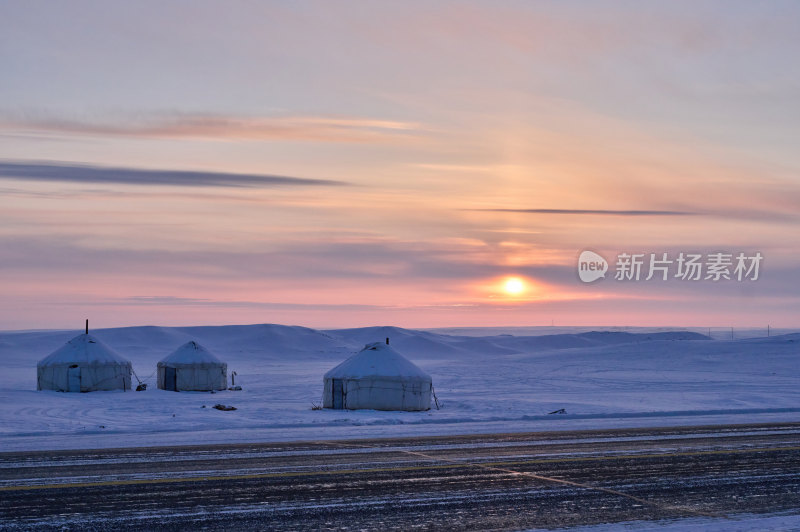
(378, 378)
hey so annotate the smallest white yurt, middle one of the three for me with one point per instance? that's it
(192, 368)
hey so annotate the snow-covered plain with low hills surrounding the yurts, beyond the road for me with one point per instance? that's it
(486, 380)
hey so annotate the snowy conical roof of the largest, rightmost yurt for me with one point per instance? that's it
(376, 360)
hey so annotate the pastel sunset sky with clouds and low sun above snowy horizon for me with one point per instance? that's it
(334, 164)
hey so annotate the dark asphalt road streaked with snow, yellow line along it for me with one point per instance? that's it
(499, 481)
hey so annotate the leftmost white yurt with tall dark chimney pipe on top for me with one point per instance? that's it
(84, 364)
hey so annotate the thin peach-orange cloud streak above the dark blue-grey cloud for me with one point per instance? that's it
(210, 126)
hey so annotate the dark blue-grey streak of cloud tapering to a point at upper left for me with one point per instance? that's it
(82, 173)
